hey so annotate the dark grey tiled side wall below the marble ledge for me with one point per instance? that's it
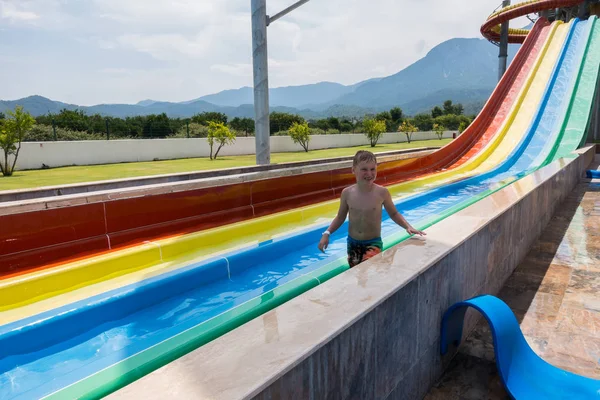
(392, 352)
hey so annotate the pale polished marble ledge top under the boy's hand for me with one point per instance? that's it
(248, 359)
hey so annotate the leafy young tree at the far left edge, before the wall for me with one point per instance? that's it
(12, 131)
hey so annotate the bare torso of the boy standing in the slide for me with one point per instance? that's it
(364, 211)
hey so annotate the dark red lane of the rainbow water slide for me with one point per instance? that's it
(47, 238)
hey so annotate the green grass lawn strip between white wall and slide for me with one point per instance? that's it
(90, 173)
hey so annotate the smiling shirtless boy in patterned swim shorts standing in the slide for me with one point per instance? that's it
(363, 201)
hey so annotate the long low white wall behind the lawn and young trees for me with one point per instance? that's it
(57, 154)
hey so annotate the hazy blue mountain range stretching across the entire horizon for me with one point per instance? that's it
(462, 70)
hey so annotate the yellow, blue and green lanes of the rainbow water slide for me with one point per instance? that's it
(87, 327)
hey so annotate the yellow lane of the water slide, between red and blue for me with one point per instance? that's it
(40, 291)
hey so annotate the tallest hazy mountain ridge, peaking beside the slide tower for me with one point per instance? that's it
(453, 68)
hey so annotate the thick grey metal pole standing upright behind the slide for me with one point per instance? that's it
(261, 81)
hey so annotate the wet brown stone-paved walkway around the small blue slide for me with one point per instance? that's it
(555, 294)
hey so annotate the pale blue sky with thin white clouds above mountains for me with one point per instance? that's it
(90, 52)
